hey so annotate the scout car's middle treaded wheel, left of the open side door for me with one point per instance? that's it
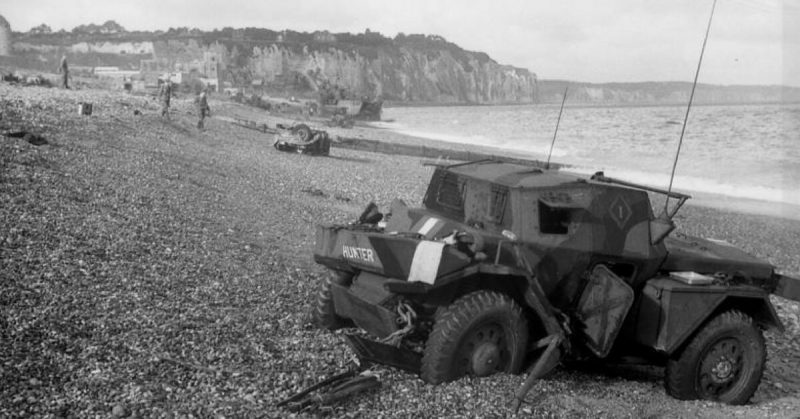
(479, 334)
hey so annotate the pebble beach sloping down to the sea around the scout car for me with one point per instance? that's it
(150, 269)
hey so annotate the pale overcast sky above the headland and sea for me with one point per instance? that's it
(751, 41)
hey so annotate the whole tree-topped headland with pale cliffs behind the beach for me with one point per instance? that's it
(414, 68)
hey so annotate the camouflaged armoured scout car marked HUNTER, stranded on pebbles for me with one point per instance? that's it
(506, 263)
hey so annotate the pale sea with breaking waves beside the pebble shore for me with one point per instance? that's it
(747, 156)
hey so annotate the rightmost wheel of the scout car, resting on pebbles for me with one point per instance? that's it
(723, 362)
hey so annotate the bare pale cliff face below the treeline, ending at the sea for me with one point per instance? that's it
(402, 74)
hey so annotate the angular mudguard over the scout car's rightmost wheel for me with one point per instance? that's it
(670, 312)
